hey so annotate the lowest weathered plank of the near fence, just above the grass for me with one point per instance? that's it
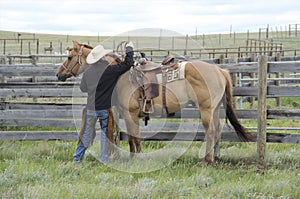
(146, 136)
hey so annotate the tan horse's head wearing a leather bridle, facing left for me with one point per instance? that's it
(76, 61)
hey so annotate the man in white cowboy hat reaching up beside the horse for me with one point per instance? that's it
(99, 81)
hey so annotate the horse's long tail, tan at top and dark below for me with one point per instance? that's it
(242, 133)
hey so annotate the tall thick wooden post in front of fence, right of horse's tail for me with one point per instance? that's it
(262, 110)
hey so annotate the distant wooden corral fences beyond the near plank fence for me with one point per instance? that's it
(229, 54)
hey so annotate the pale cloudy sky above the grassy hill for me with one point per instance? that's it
(113, 17)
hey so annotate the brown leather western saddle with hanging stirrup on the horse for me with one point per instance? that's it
(144, 74)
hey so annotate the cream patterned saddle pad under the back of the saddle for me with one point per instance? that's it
(173, 75)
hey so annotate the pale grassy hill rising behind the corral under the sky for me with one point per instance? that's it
(32, 43)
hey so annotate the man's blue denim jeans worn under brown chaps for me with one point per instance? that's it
(88, 135)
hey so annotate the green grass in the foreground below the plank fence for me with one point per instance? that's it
(45, 170)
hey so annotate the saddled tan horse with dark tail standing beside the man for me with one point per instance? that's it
(207, 85)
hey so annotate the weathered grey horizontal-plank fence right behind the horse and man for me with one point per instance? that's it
(31, 97)
